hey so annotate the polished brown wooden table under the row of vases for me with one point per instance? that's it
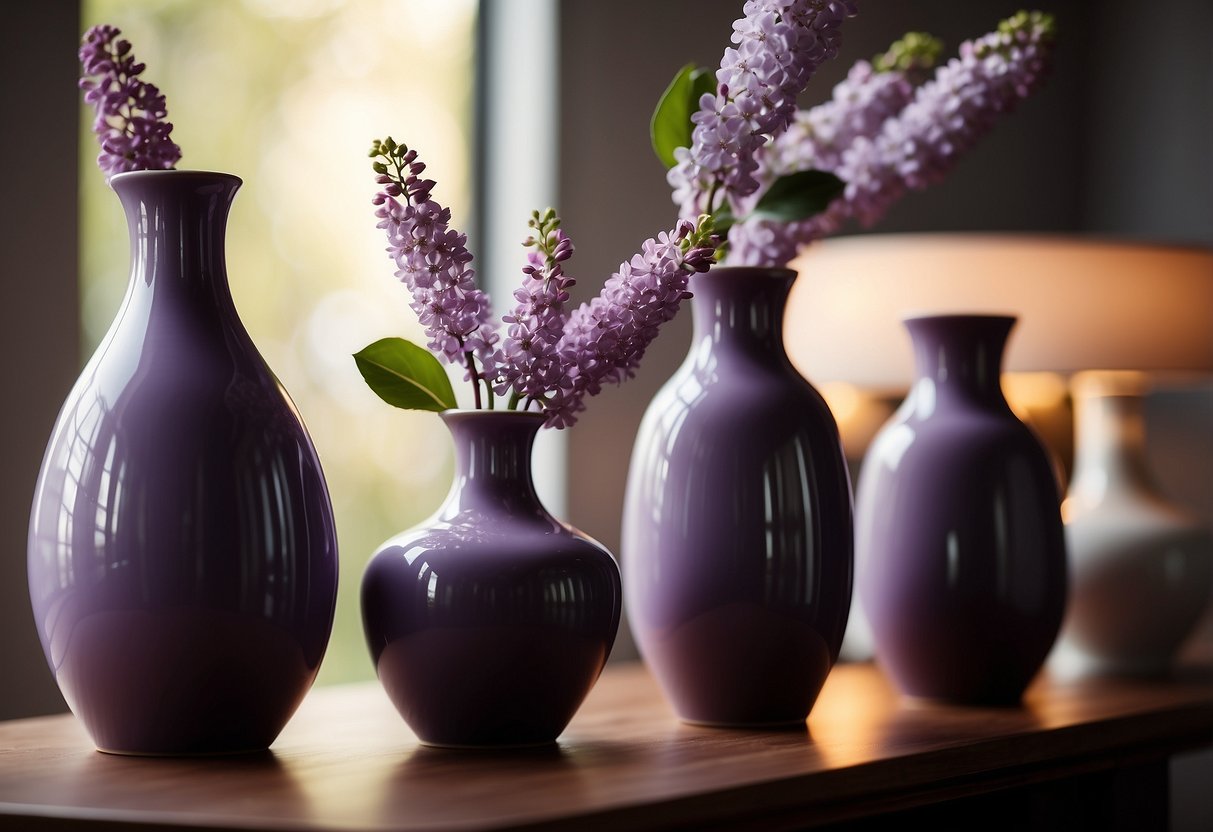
(1090, 755)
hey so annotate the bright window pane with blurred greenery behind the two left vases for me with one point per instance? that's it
(288, 95)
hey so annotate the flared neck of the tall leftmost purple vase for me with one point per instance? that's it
(178, 221)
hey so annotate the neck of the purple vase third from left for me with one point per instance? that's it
(741, 311)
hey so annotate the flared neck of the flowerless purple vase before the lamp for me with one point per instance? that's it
(960, 357)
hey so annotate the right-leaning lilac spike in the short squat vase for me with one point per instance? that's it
(606, 339)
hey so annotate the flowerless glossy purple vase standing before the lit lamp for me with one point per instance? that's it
(959, 543)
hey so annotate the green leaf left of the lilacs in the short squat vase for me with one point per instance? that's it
(406, 375)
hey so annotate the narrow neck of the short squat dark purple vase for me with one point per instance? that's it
(493, 459)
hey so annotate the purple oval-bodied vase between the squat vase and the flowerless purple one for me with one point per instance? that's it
(738, 538)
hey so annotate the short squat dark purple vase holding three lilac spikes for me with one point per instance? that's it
(491, 622)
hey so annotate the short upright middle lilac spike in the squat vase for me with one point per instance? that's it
(532, 366)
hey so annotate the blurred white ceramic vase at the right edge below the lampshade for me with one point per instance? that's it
(1142, 568)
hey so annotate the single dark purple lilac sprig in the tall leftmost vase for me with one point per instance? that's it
(130, 115)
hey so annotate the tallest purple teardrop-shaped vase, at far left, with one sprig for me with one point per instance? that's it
(183, 552)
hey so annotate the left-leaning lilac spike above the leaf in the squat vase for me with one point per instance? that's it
(432, 260)
